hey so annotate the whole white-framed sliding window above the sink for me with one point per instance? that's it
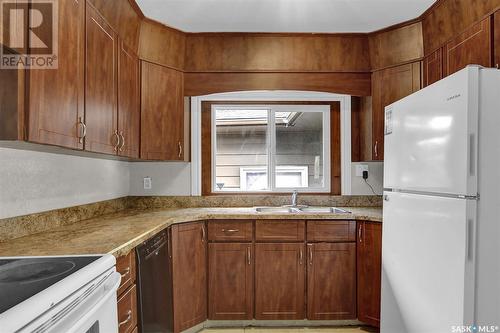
(270, 148)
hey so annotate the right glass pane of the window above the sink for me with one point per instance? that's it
(299, 150)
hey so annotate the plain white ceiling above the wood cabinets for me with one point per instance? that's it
(327, 16)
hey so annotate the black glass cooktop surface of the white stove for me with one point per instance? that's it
(21, 278)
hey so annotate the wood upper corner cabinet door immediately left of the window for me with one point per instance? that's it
(162, 113)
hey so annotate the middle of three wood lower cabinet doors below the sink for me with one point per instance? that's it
(279, 281)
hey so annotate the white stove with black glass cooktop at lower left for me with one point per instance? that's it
(58, 294)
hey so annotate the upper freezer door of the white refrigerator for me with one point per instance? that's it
(431, 137)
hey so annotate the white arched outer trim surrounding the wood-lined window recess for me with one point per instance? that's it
(277, 95)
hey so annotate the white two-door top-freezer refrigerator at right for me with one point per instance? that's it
(441, 235)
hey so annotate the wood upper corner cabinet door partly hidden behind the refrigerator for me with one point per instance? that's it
(388, 86)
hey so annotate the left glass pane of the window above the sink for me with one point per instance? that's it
(241, 150)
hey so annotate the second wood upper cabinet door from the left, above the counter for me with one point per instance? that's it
(100, 85)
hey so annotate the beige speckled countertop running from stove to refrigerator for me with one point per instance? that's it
(120, 232)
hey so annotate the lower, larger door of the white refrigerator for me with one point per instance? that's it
(427, 263)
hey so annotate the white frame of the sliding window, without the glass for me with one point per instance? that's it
(271, 145)
